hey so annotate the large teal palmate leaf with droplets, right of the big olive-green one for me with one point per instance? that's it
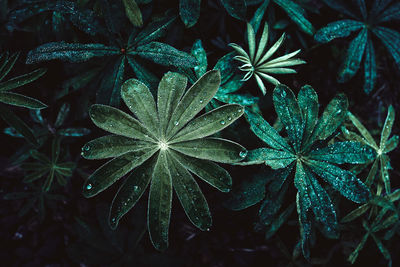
(299, 118)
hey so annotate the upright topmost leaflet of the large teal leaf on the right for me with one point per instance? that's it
(308, 103)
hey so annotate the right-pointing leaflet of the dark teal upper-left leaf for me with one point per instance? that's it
(164, 54)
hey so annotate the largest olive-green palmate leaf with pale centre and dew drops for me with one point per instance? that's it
(166, 144)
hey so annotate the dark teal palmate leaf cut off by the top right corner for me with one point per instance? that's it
(369, 24)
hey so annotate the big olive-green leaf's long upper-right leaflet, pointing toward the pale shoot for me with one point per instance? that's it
(195, 99)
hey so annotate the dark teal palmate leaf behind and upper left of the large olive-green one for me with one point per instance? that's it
(118, 58)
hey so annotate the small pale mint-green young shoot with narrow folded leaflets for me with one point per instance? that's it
(258, 61)
